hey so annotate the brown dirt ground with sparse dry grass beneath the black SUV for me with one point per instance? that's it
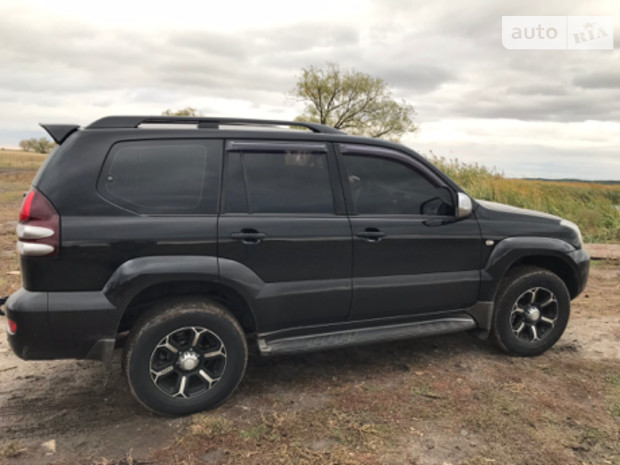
(442, 400)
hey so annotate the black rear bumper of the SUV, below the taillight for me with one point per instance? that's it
(53, 325)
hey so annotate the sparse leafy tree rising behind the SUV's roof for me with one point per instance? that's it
(352, 101)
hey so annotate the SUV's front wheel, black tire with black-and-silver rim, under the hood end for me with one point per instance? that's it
(532, 308)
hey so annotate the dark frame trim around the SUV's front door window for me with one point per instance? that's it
(383, 153)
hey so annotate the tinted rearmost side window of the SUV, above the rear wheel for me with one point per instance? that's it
(163, 176)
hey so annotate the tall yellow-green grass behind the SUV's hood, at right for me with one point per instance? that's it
(593, 207)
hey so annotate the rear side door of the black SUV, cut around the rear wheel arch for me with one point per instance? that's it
(283, 218)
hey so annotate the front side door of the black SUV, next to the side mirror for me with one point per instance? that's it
(411, 256)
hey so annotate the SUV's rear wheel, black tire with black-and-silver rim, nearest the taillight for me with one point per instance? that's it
(184, 356)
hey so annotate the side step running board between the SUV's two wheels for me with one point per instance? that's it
(358, 336)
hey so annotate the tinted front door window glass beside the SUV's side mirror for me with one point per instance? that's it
(386, 186)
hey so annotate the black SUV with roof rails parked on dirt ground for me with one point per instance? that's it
(293, 236)
